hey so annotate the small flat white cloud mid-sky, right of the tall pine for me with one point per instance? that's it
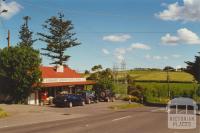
(117, 38)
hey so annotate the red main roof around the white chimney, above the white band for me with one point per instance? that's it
(50, 72)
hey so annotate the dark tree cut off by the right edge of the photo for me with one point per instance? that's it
(194, 68)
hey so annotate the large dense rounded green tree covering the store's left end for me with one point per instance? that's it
(19, 72)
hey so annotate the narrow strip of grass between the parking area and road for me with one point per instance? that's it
(126, 106)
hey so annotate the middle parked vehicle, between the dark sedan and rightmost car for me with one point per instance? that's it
(89, 96)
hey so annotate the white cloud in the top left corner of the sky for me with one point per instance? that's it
(12, 9)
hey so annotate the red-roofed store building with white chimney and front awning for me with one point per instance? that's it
(56, 80)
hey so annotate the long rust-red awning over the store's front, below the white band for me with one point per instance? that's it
(59, 84)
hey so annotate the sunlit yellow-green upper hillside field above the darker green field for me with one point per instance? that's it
(159, 76)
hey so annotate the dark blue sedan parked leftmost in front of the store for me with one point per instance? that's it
(68, 100)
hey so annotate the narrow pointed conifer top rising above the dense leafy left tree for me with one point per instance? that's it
(25, 34)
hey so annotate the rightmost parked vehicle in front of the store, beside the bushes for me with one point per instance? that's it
(105, 95)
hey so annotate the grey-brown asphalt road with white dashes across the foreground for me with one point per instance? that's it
(139, 120)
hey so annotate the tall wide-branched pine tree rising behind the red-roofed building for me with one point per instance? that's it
(58, 39)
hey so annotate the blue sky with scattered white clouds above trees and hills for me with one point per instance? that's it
(142, 33)
